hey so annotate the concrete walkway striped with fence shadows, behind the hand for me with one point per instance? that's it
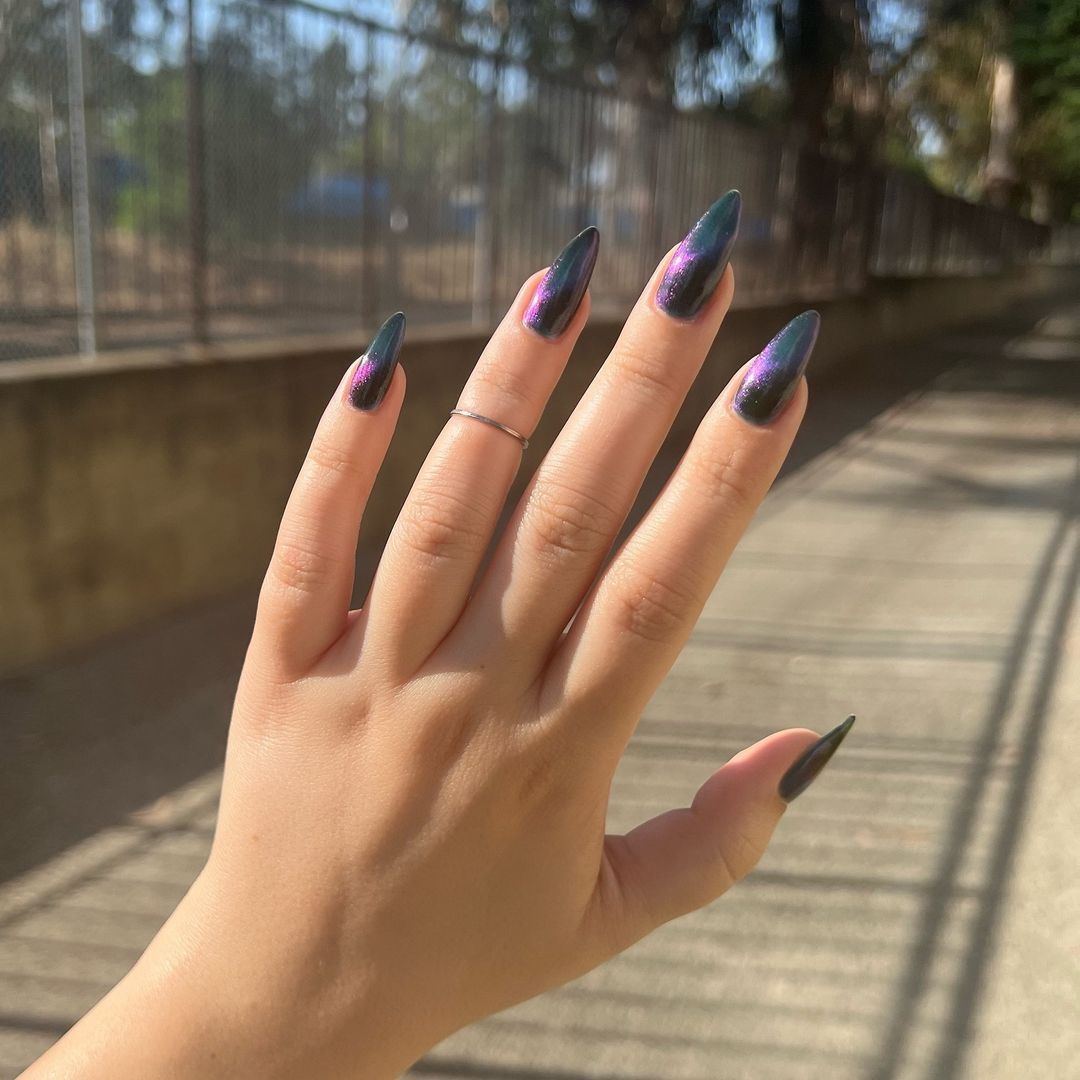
(919, 914)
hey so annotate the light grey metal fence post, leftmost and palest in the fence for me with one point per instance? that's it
(82, 235)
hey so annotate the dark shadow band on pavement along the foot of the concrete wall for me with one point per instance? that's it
(115, 726)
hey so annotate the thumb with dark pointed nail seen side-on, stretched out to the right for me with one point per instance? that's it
(684, 859)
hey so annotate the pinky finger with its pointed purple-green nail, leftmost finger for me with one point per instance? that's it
(304, 605)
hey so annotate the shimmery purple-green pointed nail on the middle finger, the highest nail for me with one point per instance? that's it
(700, 261)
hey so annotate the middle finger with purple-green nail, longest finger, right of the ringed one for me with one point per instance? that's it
(571, 514)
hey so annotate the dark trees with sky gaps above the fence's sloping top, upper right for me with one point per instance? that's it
(909, 83)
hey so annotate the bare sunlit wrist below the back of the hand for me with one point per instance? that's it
(209, 1003)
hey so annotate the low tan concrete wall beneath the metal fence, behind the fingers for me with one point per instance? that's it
(137, 484)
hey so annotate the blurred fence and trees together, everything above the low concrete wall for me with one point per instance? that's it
(188, 173)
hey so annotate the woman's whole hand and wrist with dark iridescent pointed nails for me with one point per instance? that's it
(412, 823)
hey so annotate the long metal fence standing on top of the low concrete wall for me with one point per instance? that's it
(276, 168)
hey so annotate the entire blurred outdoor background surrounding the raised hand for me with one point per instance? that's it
(207, 207)
